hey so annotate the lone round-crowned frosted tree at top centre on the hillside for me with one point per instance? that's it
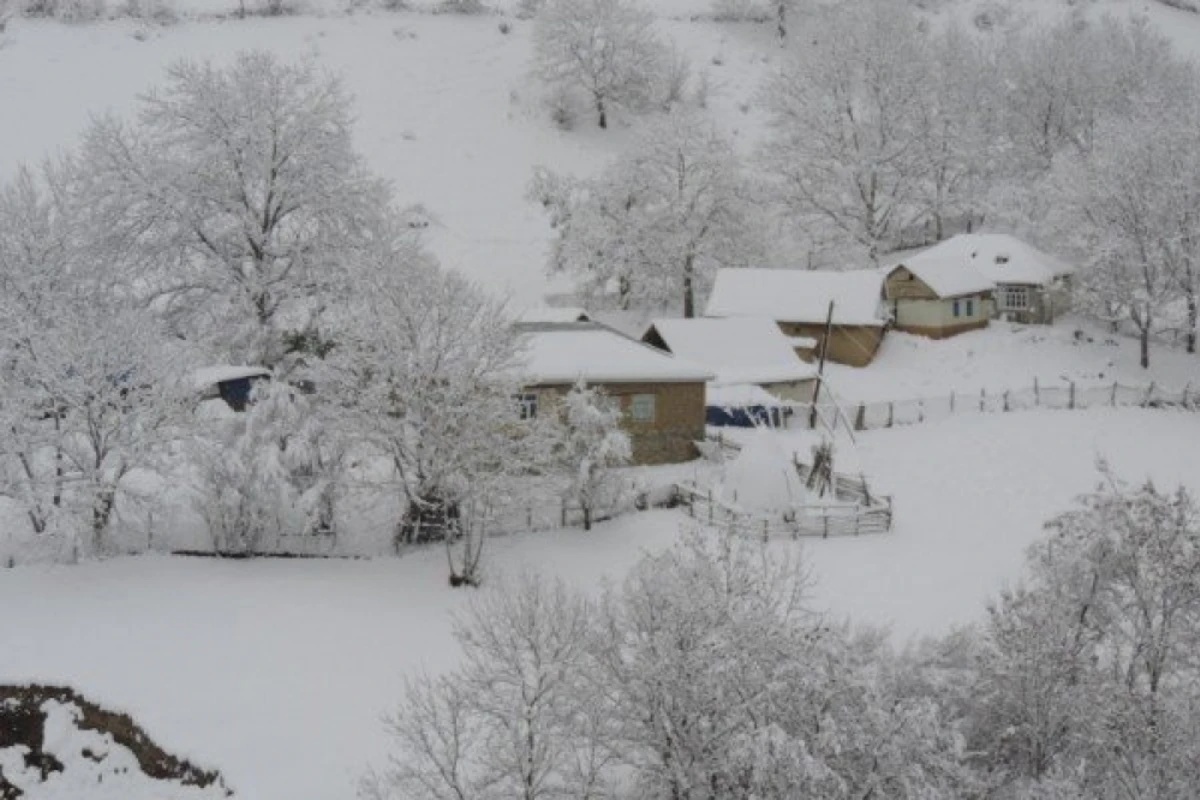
(604, 50)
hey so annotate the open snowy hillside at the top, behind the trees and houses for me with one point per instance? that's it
(446, 109)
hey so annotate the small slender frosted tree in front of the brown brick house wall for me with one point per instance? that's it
(593, 444)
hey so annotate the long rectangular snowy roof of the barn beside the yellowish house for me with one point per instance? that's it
(799, 296)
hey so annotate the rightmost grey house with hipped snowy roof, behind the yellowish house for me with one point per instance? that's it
(1029, 286)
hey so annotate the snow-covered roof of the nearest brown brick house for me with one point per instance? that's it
(571, 352)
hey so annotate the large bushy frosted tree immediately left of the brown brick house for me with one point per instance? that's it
(428, 368)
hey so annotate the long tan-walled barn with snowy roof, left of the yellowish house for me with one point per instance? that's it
(799, 302)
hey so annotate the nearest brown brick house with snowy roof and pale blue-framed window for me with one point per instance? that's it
(662, 396)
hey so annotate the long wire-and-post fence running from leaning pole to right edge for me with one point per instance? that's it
(1069, 396)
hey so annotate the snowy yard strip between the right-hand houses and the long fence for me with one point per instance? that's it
(1006, 357)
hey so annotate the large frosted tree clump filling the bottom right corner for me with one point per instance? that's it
(1089, 678)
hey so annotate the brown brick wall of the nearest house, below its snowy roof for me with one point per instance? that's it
(679, 419)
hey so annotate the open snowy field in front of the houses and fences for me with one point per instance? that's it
(278, 672)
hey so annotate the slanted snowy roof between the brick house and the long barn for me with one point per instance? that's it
(739, 350)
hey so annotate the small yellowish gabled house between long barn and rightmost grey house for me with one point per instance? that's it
(938, 298)
